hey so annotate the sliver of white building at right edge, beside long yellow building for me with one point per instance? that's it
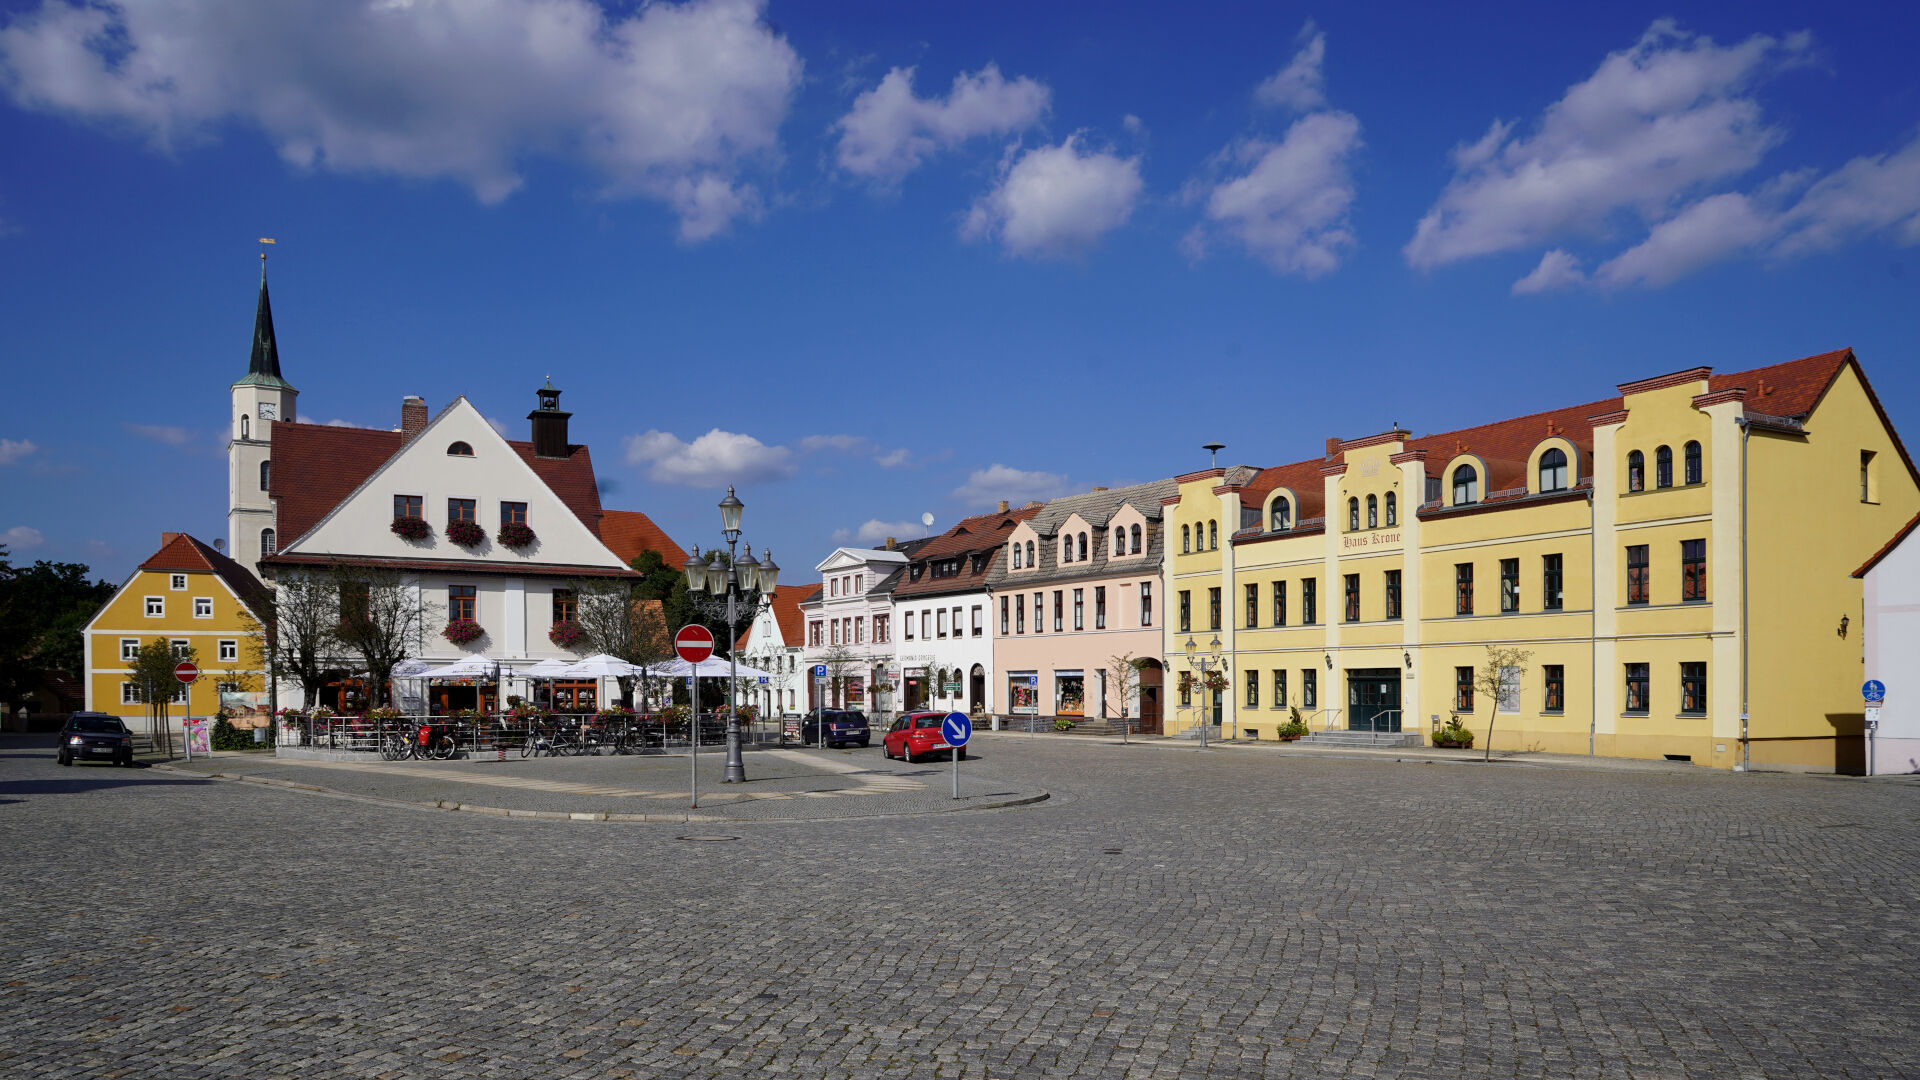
(1892, 641)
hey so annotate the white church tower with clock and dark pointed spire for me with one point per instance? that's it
(260, 401)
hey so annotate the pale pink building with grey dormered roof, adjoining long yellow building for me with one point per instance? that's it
(1074, 597)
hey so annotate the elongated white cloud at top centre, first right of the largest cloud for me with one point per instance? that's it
(890, 132)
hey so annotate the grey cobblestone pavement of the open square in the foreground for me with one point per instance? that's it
(1164, 916)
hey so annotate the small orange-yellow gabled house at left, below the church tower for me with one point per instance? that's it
(195, 599)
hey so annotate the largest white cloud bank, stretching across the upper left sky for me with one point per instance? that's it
(673, 103)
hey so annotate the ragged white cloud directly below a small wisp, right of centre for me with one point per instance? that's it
(1291, 205)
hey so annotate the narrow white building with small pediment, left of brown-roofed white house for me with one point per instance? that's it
(850, 627)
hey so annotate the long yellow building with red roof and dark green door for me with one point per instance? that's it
(1677, 562)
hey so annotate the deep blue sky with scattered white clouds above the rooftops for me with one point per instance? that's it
(875, 260)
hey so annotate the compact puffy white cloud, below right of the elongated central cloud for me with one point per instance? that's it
(1057, 201)
